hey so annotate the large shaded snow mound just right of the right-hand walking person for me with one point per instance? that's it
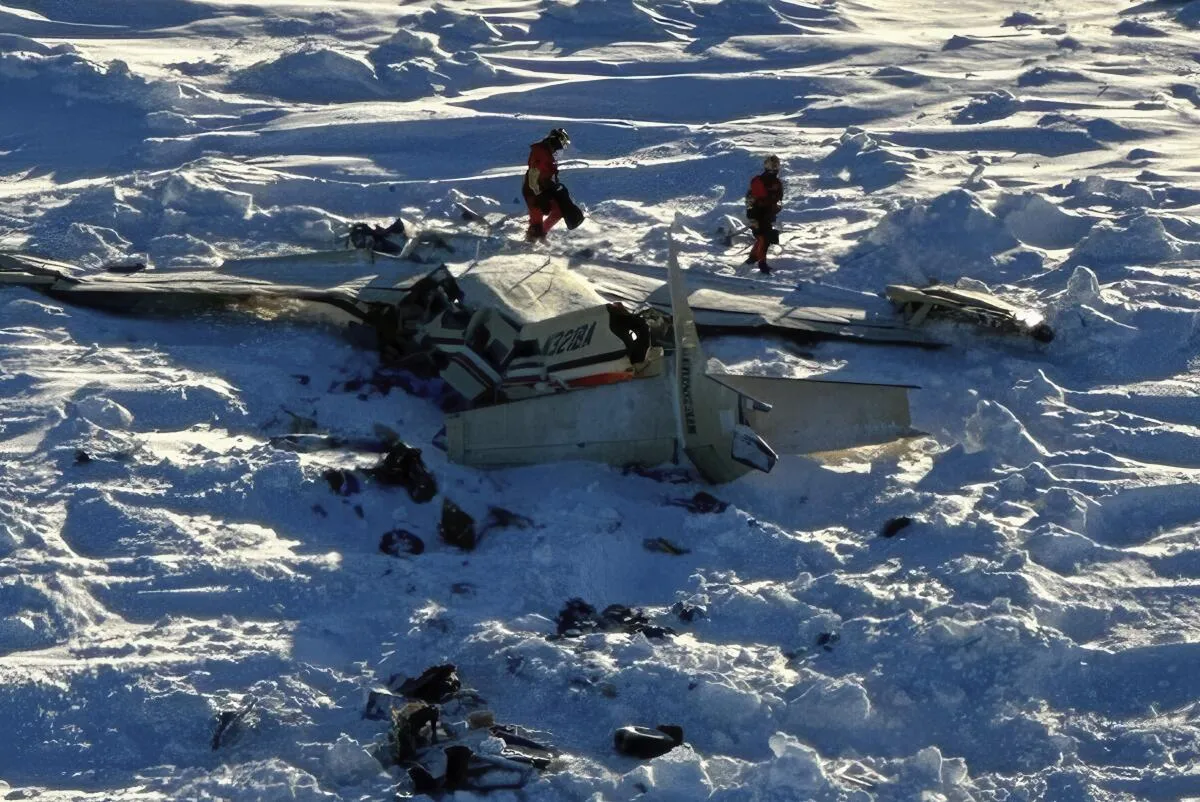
(943, 240)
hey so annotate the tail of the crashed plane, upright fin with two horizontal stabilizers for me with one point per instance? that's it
(727, 426)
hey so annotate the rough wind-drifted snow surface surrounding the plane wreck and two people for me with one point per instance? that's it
(1034, 635)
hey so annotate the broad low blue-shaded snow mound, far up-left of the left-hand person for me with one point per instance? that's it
(310, 76)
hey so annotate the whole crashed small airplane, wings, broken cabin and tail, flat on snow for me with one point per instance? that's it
(554, 361)
